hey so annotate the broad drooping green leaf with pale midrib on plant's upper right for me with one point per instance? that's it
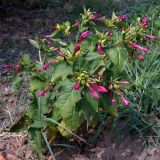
(119, 57)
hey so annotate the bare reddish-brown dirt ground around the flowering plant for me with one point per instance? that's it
(16, 27)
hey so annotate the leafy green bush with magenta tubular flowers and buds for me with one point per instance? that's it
(80, 71)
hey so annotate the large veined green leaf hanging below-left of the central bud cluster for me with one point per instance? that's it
(67, 99)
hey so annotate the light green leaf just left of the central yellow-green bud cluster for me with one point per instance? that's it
(62, 70)
